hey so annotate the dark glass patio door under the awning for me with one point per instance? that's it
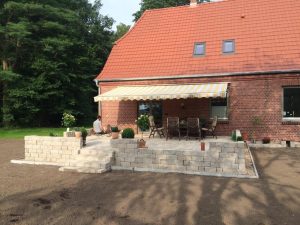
(153, 108)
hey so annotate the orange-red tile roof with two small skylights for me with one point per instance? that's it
(266, 34)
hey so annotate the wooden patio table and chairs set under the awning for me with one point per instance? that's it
(189, 128)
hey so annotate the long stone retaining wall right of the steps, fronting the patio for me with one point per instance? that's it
(219, 159)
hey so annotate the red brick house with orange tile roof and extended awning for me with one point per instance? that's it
(235, 59)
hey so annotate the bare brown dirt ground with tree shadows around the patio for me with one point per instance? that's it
(43, 195)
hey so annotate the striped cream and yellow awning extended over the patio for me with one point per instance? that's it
(157, 92)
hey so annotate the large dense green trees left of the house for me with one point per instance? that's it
(50, 51)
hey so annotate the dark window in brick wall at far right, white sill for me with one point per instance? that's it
(291, 102)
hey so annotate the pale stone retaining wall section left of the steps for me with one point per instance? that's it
(56, 150)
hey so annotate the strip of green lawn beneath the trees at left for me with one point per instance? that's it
(19, 133)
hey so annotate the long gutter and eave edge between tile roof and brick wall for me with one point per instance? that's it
(272, 72)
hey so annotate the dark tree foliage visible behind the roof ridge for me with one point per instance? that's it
(156, 4)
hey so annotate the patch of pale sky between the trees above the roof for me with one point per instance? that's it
(120, 10)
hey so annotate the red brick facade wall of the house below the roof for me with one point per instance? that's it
(249, 96)
